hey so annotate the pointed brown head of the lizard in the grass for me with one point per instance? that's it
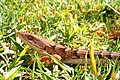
(33, 40)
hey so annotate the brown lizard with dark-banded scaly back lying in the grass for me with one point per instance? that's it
(67, 54)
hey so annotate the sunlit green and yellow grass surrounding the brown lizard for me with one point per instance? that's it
(68, 22)
